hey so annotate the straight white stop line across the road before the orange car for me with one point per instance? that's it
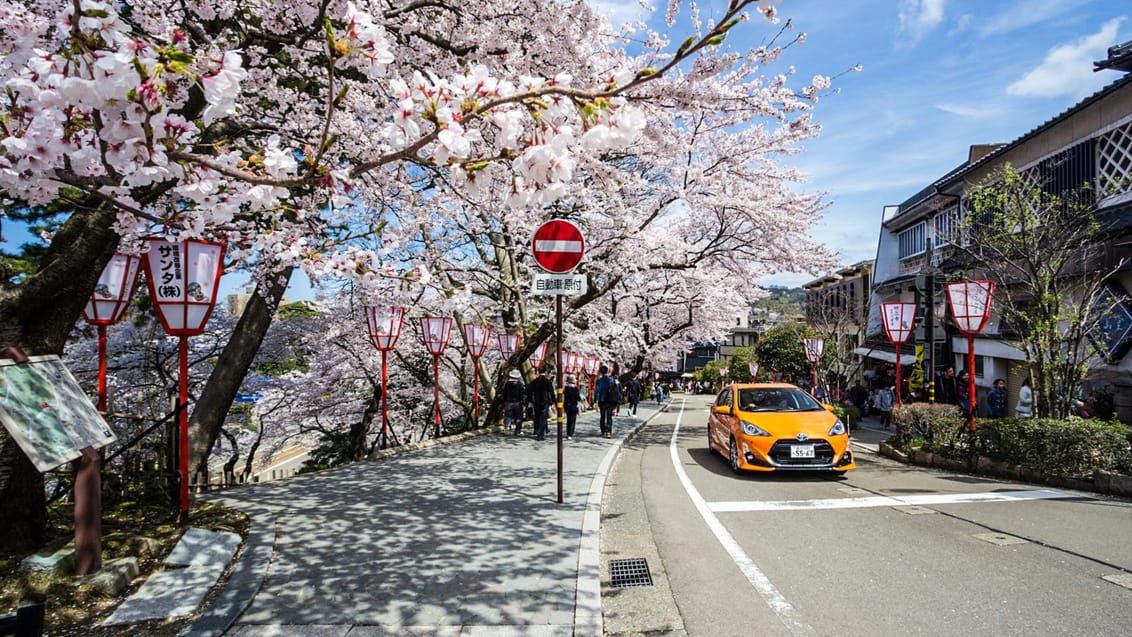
(928, 500)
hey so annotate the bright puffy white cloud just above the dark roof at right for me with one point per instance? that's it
(1068, 68)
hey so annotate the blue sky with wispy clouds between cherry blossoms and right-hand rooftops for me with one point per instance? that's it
(938, 76)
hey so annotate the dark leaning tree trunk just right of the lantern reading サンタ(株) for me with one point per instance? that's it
(220, 392)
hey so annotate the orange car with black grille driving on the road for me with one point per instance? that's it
(776, 427)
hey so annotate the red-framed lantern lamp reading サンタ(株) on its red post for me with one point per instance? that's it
(184, 279)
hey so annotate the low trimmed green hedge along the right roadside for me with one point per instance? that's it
(1073, 447)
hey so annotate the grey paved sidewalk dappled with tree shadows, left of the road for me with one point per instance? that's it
(462, 539)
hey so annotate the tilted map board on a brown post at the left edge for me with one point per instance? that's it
(46, 411)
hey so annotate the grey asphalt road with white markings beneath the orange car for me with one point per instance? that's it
(890, 550)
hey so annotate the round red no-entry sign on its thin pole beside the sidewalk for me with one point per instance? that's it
(559, 247)
